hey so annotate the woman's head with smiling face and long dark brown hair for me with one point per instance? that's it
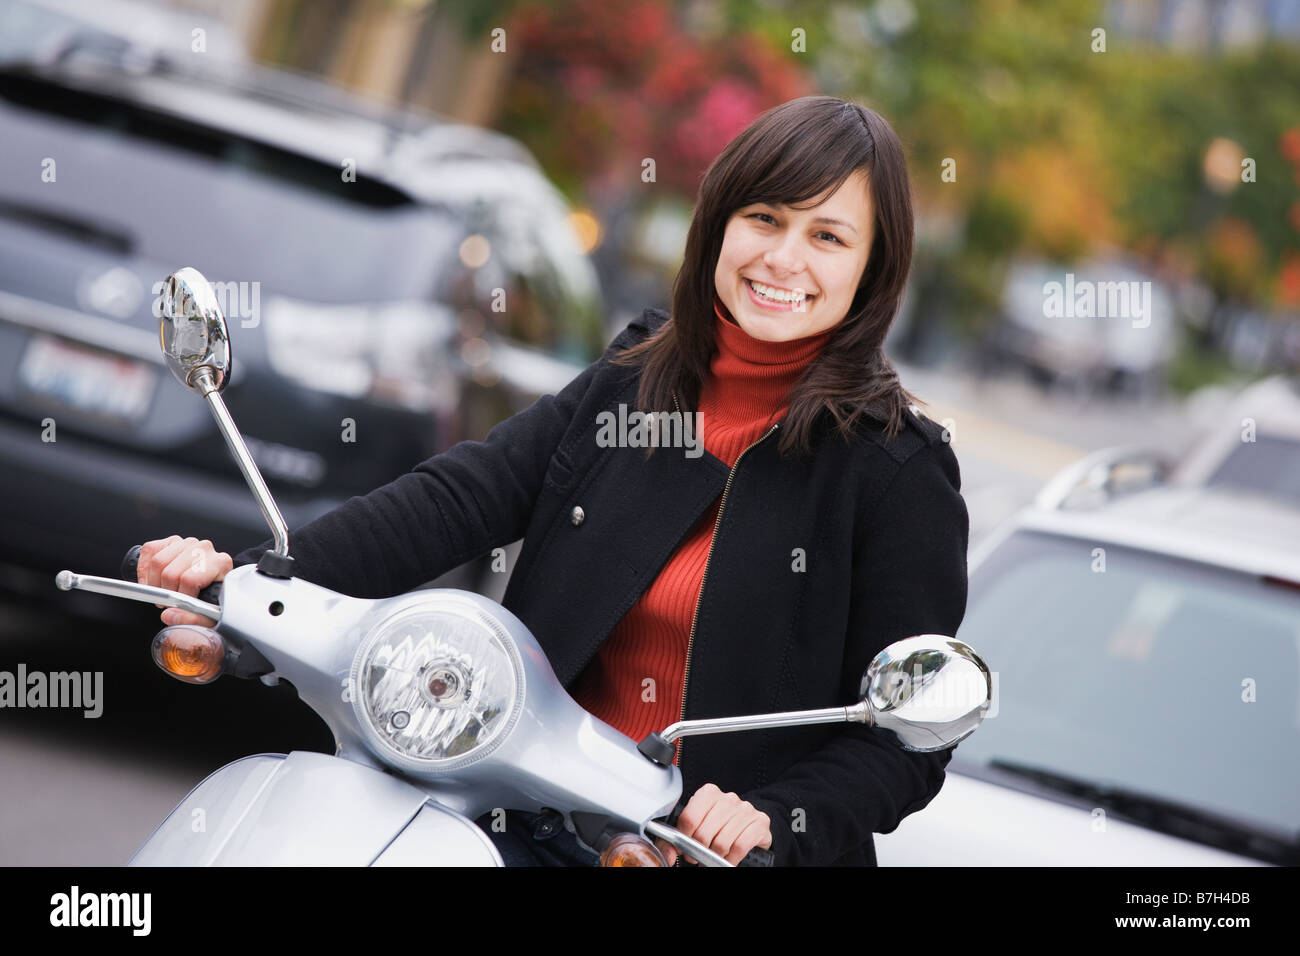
(804, 227)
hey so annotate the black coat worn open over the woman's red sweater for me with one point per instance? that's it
(881, 526)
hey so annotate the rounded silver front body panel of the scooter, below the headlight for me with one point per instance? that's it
(311, 810)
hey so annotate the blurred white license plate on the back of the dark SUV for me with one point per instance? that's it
(90, 382)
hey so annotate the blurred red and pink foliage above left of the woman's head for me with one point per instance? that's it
(600, 88)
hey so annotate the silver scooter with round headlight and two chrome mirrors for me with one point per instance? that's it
(443, 704)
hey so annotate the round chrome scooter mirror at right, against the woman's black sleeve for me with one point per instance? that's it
(930, 690)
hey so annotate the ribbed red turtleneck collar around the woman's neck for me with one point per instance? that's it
(751, 378)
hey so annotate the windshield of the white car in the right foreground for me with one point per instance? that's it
(1146, 673)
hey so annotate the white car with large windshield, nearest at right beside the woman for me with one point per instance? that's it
(1145, 641)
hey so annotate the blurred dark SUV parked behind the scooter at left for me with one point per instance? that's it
(395, 284)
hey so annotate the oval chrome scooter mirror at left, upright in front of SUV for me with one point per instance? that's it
(194, 332)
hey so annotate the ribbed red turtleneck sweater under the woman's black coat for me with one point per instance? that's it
(635, 682)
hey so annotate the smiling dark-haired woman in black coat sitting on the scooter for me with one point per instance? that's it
(752, 576)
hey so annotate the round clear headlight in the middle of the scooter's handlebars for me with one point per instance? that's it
(439, 686)
